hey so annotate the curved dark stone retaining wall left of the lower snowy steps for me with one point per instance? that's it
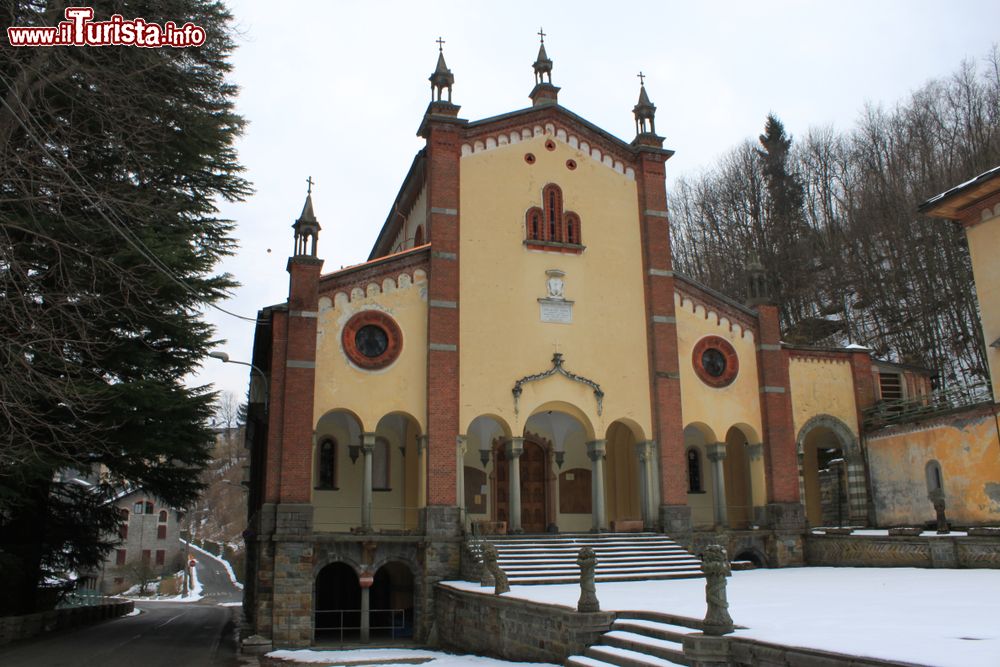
(512, 629)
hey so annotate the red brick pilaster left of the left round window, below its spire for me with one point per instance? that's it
(299, 380)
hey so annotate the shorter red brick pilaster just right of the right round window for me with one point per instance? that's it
(780, 456)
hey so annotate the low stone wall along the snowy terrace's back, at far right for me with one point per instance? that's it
(898, 551)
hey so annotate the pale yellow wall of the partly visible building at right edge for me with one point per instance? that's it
(984, 247)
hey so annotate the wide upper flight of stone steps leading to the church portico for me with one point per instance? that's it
(551, 559)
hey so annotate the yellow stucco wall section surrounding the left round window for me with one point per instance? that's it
(402, 386)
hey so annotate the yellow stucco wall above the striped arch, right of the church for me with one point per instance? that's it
(822, 387)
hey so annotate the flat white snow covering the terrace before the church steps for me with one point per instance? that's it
(945, 618)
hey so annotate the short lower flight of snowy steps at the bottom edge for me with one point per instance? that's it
(640, 639)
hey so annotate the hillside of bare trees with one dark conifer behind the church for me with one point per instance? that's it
(832, 217)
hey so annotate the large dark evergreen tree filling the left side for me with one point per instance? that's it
(111, 161)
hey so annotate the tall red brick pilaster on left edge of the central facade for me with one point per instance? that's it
(443, 155)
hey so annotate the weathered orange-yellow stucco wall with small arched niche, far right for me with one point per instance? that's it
(969, 454)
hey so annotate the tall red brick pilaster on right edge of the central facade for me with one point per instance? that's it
(661, 324)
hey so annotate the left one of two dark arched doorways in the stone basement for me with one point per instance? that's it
(336, 605)
